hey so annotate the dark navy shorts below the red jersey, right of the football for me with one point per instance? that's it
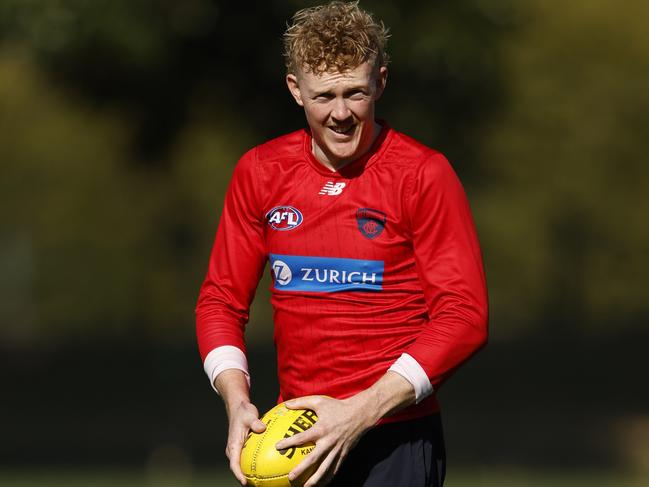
(403, 454)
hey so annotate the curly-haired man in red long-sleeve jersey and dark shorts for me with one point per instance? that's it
(378, 291)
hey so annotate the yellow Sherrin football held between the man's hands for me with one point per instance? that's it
(264, 465)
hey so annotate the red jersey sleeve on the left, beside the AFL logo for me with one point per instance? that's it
(236, 263)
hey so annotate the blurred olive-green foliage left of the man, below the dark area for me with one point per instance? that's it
(92, 246)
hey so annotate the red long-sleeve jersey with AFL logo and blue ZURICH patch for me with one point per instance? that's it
(377, 259)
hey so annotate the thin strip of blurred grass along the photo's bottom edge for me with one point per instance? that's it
(483, 478)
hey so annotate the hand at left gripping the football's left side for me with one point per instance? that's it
(242, 419)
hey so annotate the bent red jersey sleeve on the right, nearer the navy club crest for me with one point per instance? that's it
(449, 265)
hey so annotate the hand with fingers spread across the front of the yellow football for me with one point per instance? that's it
(341, 423)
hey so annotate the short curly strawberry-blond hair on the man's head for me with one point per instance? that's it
(336, 36)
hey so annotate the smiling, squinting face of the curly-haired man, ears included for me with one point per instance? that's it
(339, 109)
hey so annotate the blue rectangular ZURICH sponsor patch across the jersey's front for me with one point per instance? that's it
(326, 274)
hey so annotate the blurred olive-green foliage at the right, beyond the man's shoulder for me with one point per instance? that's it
(563, 221)
